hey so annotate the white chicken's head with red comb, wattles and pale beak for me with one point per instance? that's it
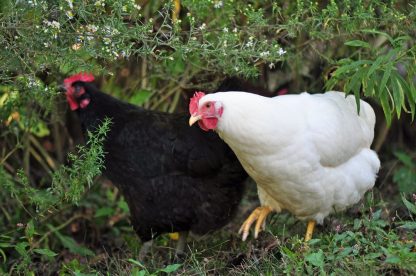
(205, 112)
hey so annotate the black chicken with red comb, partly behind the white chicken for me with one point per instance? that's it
(173, 177)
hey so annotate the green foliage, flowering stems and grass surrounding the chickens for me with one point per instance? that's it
(59, 216)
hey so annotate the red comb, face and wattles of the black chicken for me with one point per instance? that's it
(75, 92)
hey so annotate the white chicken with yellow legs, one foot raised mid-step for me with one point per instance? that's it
(309, 153)
